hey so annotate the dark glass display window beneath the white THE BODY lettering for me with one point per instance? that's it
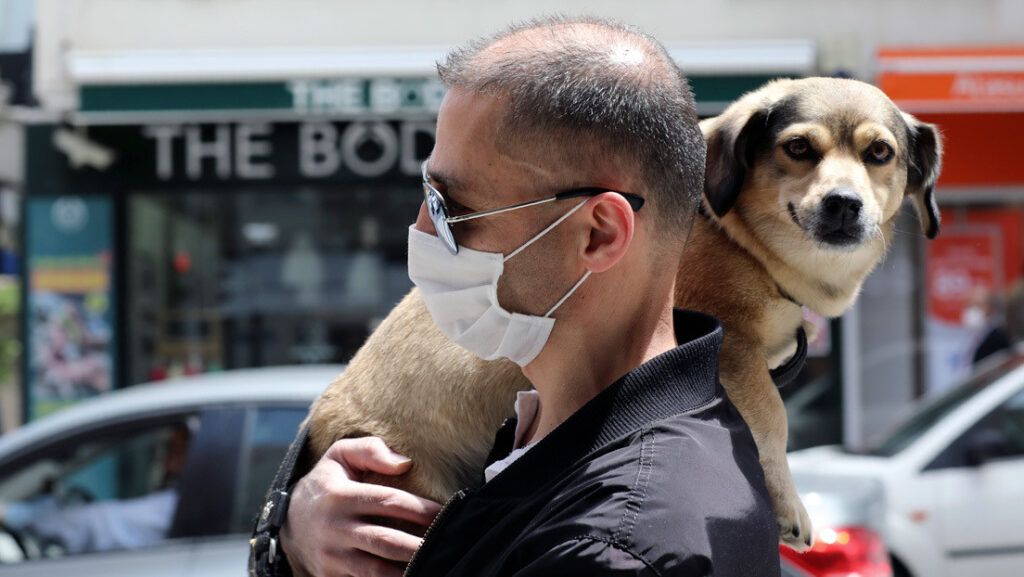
(248, 278)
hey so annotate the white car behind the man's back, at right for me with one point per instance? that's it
(953, 478)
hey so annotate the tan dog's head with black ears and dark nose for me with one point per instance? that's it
(823, 161)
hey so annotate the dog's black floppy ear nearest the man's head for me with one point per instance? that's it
(732, 150)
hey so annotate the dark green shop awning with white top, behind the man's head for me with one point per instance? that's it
(152, 87)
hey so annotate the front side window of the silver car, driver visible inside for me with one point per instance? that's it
(109, 491)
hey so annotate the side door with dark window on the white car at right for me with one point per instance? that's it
(978, 484)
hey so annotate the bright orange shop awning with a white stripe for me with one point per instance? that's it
(954, 79)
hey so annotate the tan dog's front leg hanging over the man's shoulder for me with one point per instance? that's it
(749, 386)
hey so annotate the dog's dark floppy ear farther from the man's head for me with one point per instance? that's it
(924, 166)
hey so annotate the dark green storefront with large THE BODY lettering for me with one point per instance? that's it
(178, 225)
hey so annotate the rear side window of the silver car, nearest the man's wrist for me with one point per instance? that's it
(269, 434)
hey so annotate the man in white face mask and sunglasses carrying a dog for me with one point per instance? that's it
(629, 460)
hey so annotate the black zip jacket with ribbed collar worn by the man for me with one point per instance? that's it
(659, 475)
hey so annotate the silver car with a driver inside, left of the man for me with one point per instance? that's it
(110, 449)
